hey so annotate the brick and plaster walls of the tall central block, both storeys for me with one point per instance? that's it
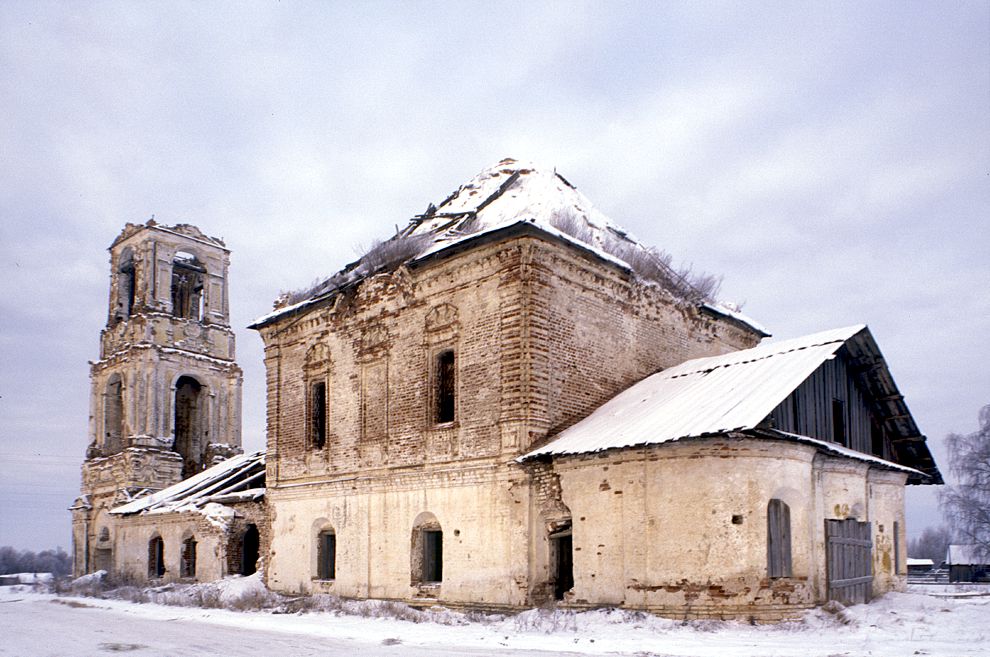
(542, 336)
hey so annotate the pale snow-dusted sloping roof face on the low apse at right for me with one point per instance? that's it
(704, 396)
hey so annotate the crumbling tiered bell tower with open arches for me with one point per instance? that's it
(166, 391)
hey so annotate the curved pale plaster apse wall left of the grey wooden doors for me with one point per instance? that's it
(654, 528)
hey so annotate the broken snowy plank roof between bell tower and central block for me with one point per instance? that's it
(239, 478)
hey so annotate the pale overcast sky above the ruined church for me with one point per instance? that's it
(831, 160)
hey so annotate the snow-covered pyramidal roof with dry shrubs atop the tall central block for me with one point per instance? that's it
(510, 194)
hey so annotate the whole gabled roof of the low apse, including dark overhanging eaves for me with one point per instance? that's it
(736, 392)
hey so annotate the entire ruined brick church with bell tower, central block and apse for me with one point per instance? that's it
(511, 401)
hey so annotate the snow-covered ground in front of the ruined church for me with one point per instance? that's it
(930, 621)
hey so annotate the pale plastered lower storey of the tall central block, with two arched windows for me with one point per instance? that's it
(482, 513)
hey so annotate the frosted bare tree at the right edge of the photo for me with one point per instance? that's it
(967, 503)
